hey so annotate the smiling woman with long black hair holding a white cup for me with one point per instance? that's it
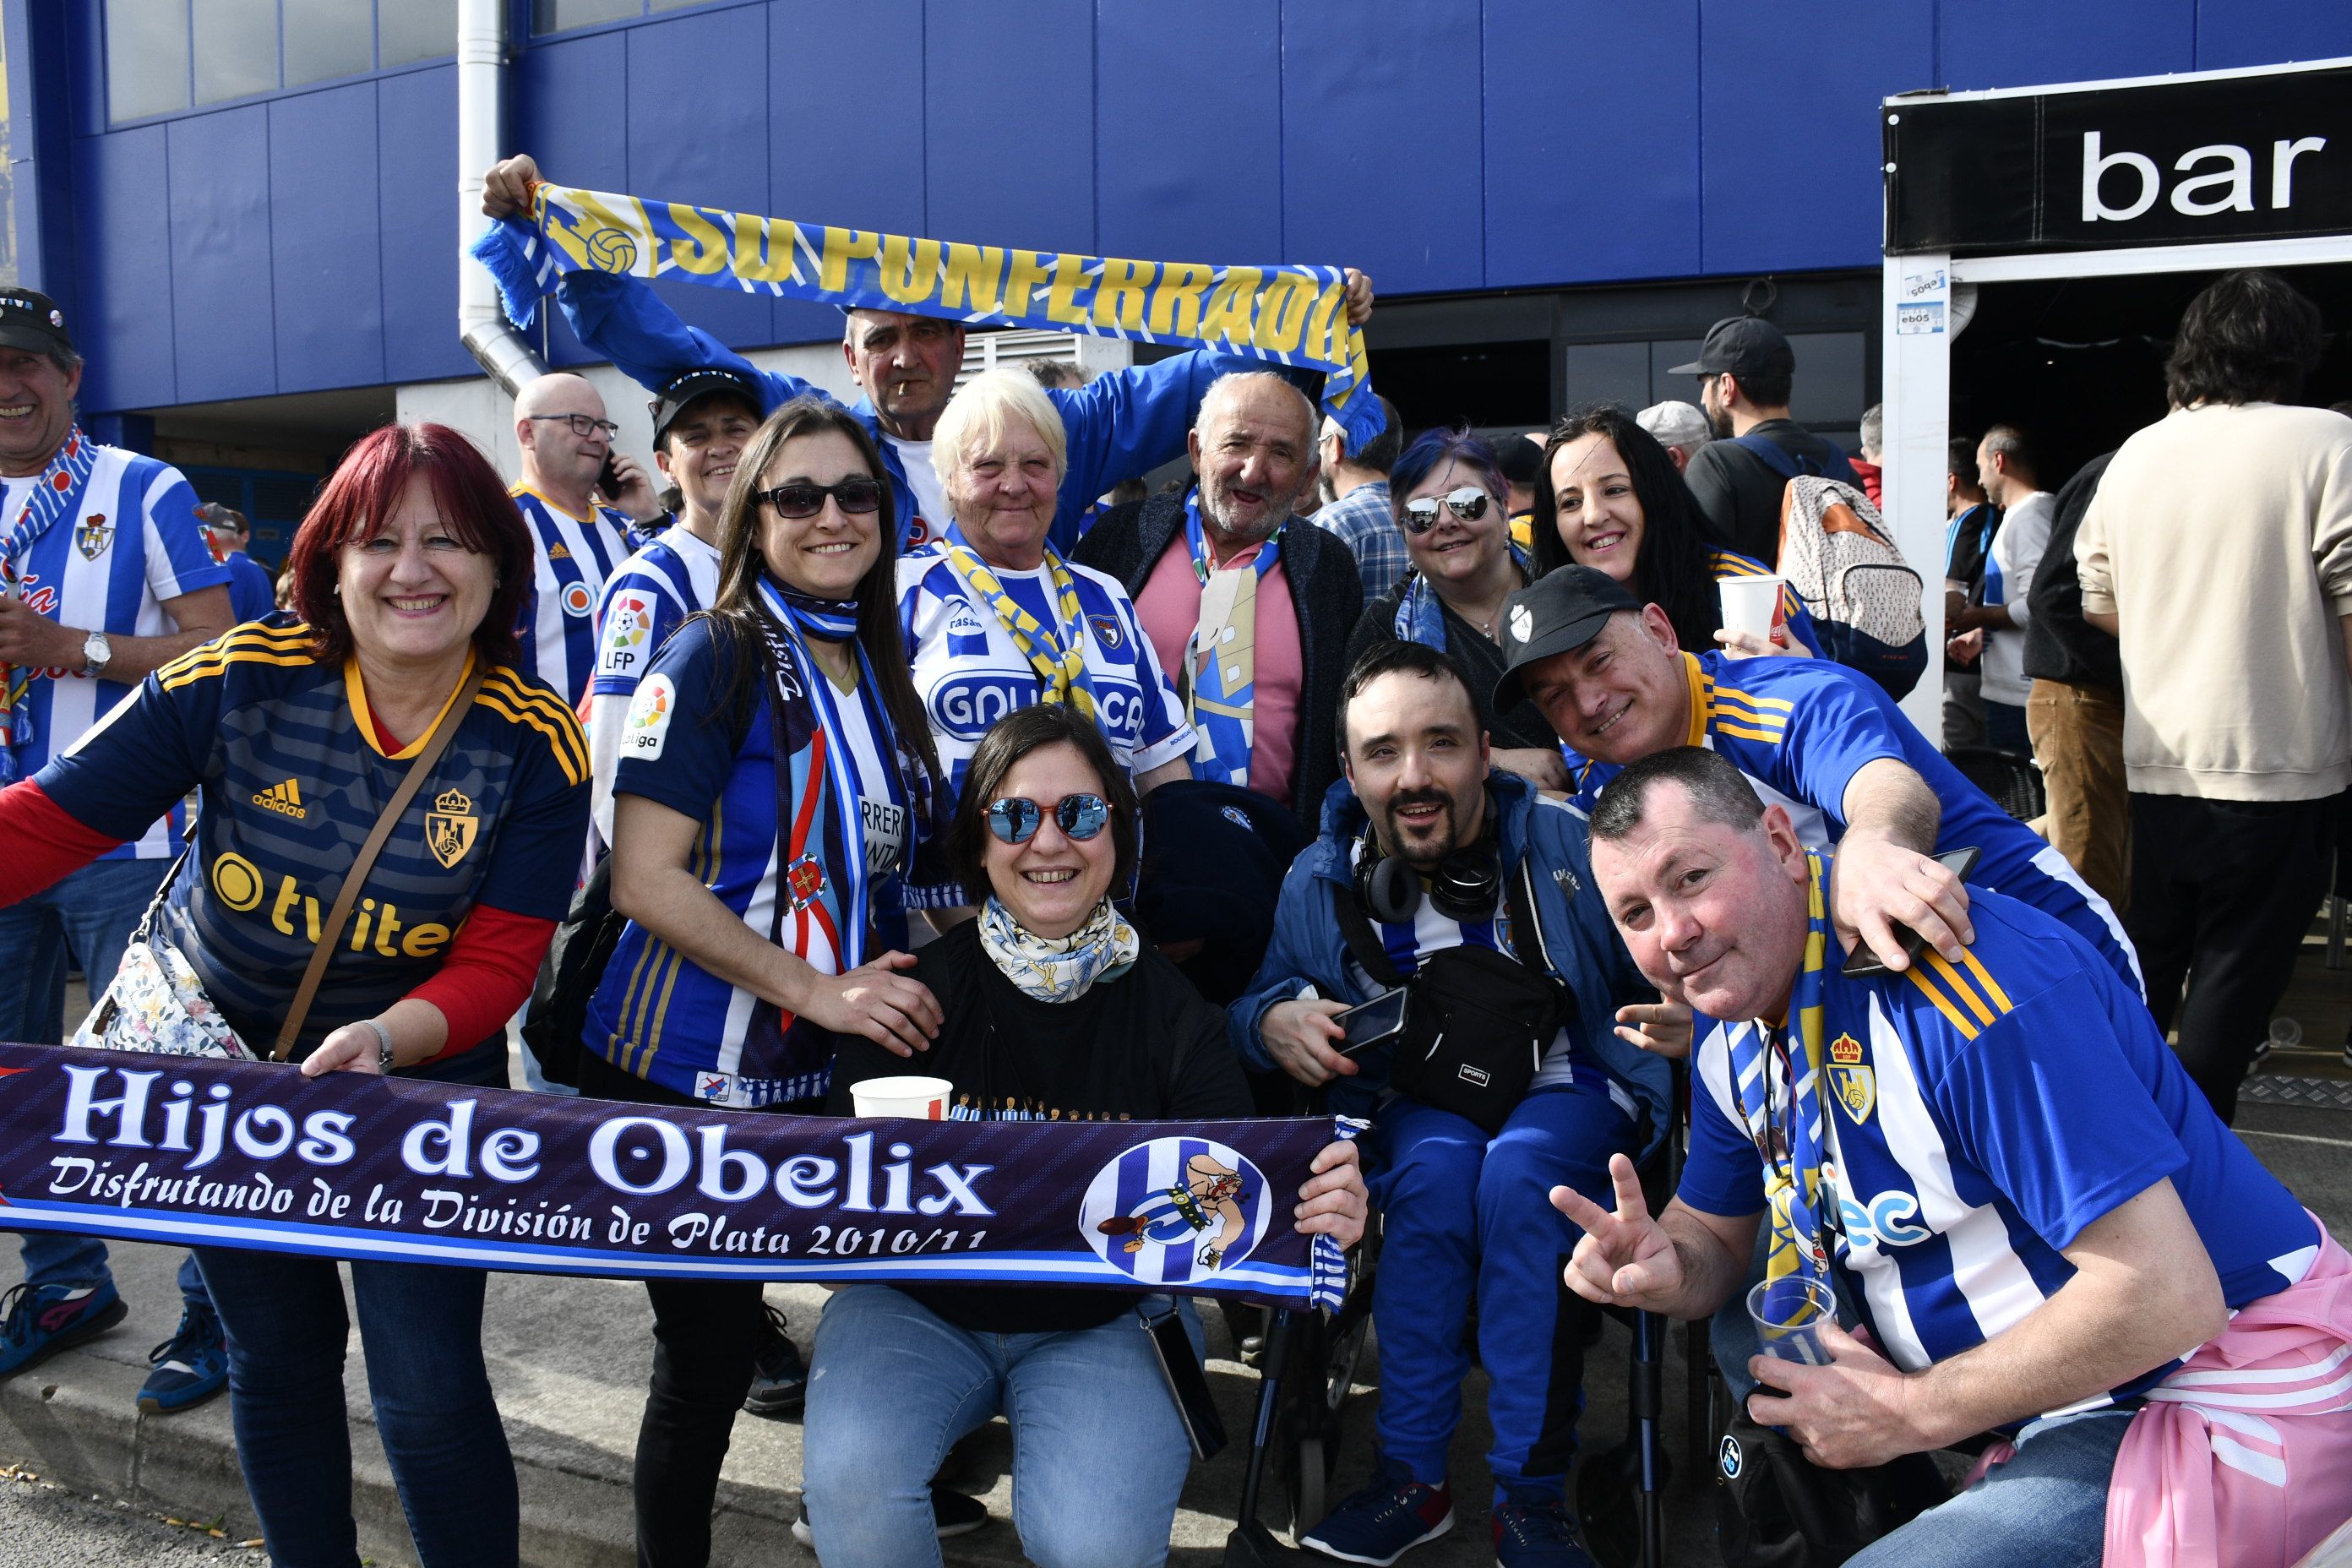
(1612, 500)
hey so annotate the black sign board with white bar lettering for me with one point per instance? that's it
(2104, 168)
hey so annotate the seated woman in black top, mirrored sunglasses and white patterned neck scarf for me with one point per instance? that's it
(1057, 1012)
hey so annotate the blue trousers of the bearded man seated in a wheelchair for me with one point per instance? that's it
(1464, 1212)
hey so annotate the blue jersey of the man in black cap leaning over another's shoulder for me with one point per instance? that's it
(1803, 728)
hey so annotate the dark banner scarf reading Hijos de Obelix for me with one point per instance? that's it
(253, 1155)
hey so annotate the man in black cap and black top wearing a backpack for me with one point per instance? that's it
(1746, 373)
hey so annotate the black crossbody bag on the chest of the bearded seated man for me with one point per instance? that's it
(1476, 1021)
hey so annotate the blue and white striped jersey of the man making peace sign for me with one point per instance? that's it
(1982, 1118)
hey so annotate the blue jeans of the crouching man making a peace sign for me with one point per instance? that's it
(2043, 1508)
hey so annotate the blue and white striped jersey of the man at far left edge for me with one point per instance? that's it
(133, 547)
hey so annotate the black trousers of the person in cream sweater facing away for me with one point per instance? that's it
(2221, 894)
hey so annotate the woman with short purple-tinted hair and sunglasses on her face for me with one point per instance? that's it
(1448, 492)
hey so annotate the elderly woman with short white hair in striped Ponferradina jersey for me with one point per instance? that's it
(996, 619)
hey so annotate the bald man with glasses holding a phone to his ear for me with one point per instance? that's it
(575, 544)
